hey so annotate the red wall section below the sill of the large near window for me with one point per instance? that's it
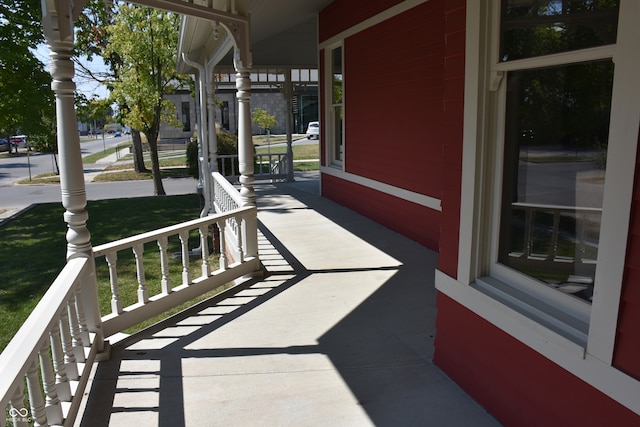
(496, 379)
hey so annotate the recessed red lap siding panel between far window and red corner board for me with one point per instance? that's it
(393, 100)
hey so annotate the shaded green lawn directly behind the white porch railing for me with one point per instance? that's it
(34, 246)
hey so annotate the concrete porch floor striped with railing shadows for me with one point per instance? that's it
(339, 333)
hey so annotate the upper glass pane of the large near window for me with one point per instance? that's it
(541, 27)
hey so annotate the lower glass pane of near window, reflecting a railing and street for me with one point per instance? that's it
(556, 132)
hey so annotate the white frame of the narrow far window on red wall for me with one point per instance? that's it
(329, 125)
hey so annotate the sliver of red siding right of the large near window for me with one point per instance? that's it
(627, 350)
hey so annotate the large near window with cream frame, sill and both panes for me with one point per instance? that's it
(549, 149)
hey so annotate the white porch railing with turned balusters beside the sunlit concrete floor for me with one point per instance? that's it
(52, 354)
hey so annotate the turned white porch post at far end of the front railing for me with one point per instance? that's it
(245, 152)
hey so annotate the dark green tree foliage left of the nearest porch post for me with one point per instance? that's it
(25, 86)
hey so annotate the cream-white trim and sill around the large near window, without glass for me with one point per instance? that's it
(593, 363)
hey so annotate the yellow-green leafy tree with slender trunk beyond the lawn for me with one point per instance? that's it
(146, 41)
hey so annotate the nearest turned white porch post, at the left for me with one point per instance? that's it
(57, 21)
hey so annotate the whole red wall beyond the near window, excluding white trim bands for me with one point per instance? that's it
(404, 84)
